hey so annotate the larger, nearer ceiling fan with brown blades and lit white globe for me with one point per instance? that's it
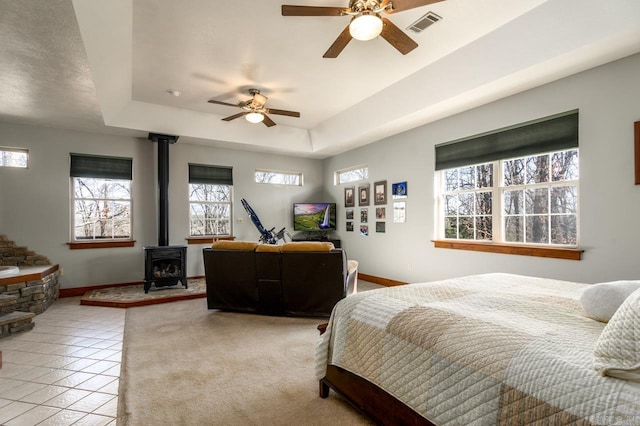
(366, 22)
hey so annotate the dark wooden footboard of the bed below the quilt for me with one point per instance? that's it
(370, 399)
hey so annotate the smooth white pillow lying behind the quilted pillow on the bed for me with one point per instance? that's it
(601, 301)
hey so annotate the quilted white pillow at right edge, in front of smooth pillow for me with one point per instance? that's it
(617, 351)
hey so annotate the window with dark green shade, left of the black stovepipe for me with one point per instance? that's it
(101, 188)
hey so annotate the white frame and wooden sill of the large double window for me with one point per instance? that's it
(498, 243)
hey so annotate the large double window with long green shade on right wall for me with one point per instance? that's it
(531, 198)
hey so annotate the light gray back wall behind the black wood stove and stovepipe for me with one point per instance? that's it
(35, 203)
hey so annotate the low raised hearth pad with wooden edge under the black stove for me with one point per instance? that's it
(134, 295)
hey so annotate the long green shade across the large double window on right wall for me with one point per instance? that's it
(553, 133)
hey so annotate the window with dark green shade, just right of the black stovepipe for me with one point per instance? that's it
(210, 200)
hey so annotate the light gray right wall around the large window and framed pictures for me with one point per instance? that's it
(608, 98)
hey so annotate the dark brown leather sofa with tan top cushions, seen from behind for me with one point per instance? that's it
(293, 279)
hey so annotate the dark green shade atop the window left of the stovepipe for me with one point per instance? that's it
(98, 166)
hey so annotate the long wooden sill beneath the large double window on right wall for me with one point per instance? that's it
(523, 250)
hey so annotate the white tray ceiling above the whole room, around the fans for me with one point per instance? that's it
(105, 66)
